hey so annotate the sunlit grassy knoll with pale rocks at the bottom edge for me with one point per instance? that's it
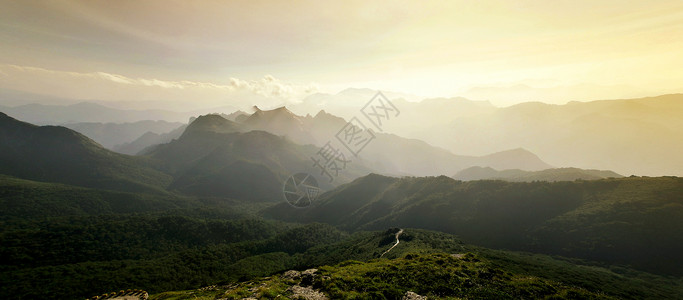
(437, 275)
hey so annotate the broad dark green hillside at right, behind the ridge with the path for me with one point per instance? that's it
(632, 221)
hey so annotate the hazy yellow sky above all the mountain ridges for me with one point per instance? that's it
(188, 54)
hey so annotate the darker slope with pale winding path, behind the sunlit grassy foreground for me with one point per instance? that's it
(617, 281)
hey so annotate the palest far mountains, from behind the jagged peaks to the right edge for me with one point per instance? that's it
(629, 136)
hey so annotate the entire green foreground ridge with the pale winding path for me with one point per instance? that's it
(415, 265)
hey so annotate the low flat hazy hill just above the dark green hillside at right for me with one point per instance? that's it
(559, 174)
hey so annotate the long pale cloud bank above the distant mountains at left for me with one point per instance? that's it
(106, 86)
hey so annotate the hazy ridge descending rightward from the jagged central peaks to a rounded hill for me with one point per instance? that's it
(387, 153)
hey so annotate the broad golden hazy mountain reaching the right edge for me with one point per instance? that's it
(633, 136)
